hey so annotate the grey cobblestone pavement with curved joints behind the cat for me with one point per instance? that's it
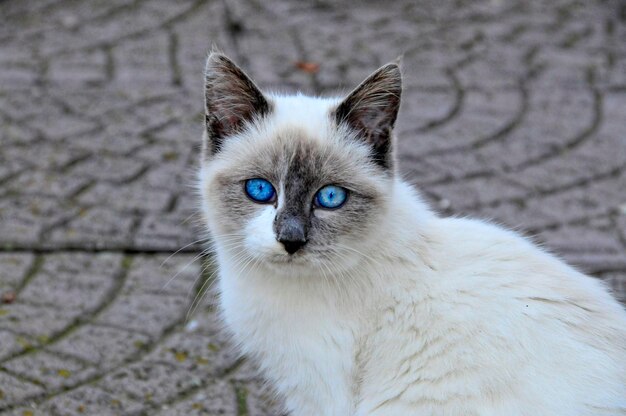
(513, 110)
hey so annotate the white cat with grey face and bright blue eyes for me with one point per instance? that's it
(355, 299)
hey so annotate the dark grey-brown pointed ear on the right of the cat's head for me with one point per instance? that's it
(371, 110)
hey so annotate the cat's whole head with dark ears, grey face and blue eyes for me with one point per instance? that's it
(293, 183)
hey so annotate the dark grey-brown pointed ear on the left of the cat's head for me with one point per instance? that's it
(231, 100)
